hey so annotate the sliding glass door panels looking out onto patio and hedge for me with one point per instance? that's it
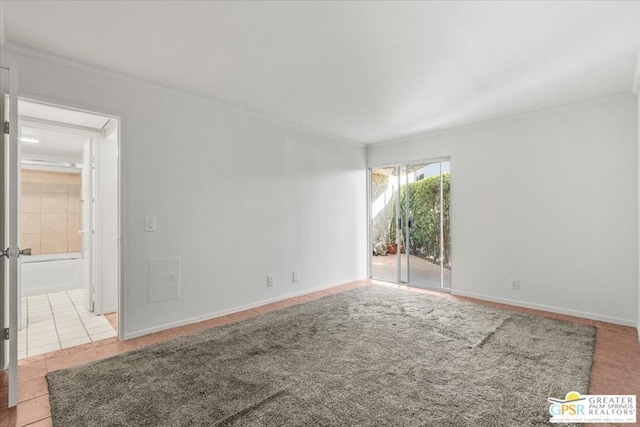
(410, 224)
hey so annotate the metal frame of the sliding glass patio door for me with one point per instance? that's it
(398, 166)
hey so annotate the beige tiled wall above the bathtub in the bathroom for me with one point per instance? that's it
(51, 211)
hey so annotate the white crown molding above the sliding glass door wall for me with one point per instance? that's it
(499, 120)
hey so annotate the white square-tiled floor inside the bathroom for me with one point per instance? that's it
(59, 320)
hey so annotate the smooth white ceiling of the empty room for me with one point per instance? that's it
(365, 71)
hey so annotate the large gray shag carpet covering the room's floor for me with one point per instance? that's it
(373, 356)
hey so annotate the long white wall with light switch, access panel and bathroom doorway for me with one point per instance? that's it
(236, 196)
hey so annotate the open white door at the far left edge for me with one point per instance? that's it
(10, 164)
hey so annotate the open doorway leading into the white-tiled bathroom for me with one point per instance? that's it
(68, 197)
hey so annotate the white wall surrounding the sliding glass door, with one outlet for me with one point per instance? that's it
(550, 198)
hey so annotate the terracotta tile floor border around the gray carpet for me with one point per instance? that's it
(615, 370)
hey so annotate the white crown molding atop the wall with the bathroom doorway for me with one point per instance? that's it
(134, 81)
